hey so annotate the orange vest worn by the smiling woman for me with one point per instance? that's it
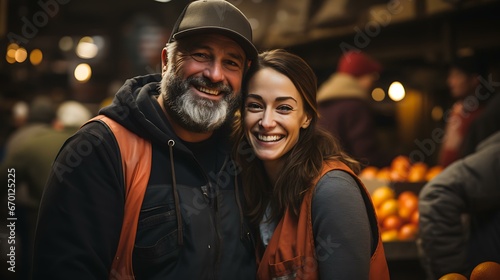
(291, 253)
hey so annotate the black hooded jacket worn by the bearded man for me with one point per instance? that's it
(81, 212)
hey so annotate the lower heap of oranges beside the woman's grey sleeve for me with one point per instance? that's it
(396, 215)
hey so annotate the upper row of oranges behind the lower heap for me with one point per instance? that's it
(402, 170)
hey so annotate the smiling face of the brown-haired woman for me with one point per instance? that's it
(274, 115)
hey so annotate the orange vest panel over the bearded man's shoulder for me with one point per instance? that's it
(136, 155)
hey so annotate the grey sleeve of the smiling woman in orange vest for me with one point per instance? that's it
(341, 228)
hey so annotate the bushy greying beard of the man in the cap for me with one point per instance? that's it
(193, 112)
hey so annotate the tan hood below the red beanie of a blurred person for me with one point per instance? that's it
(340, 85)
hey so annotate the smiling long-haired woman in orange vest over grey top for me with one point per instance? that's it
(300, 187)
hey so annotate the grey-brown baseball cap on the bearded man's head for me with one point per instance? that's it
(206, 16)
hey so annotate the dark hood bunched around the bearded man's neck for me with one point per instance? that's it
(135, 107)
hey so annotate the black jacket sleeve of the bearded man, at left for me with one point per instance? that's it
(81, 211)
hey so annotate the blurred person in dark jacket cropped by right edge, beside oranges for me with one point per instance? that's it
(460, 215)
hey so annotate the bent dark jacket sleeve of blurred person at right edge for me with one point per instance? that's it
(468, 186)
